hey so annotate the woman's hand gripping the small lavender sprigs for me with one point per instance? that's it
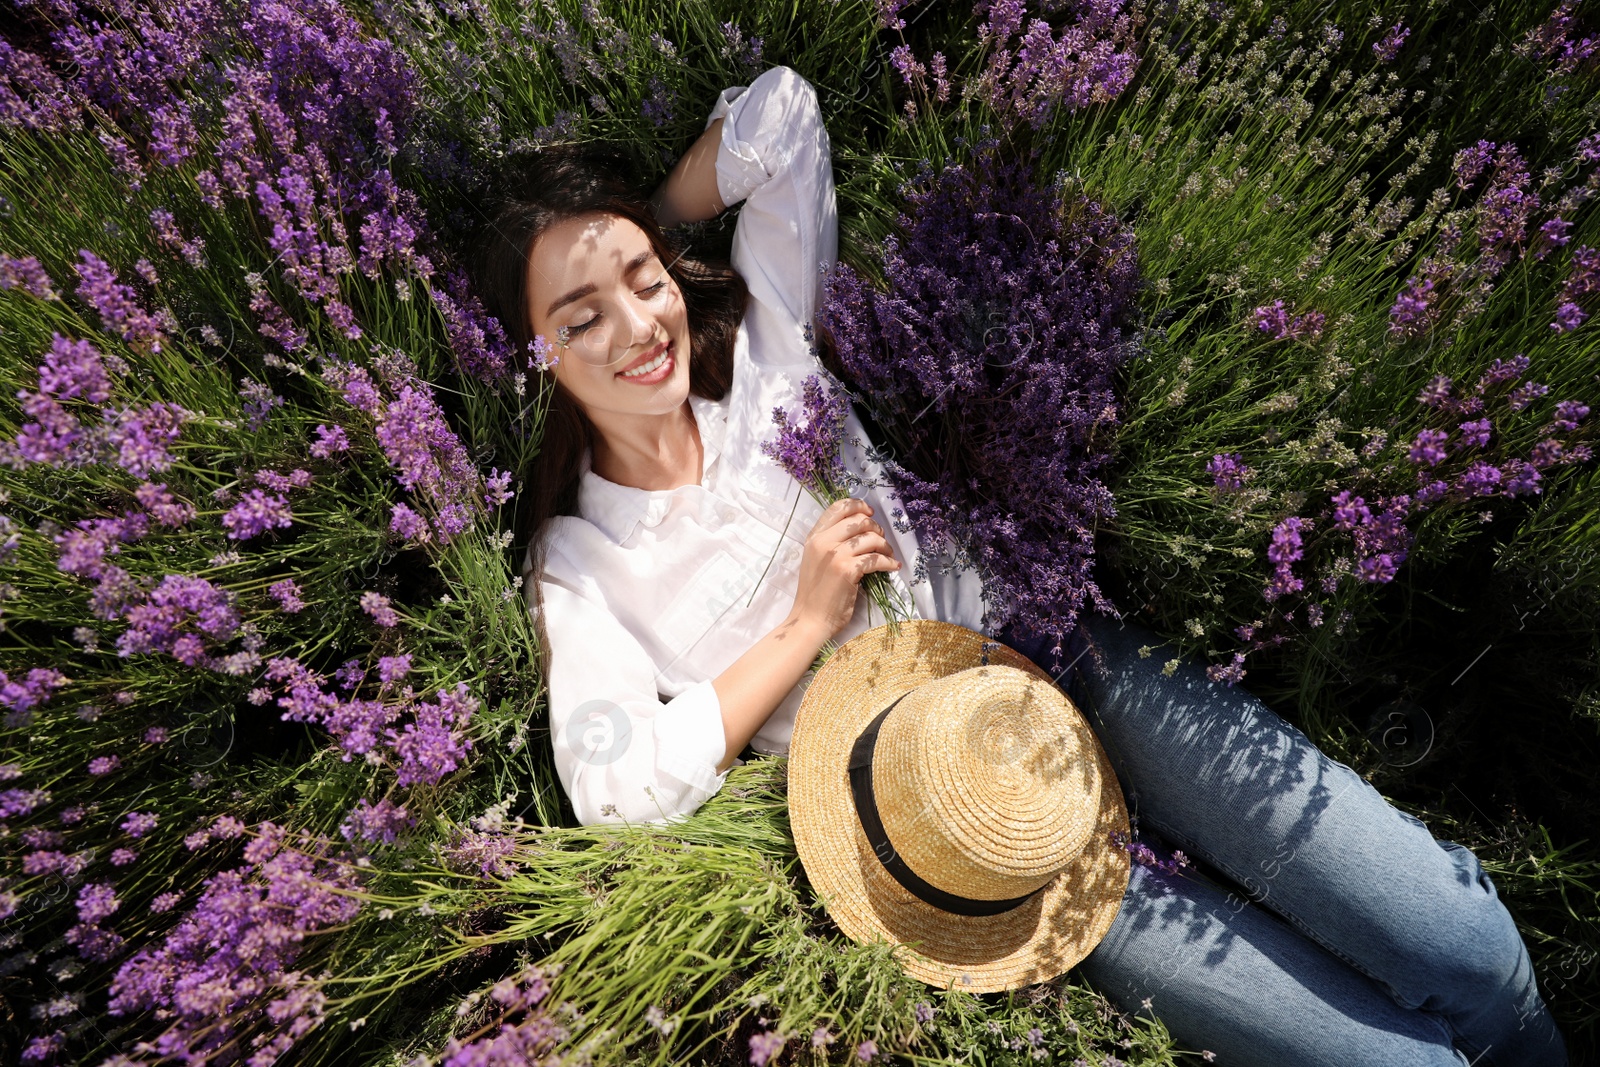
(844, 546)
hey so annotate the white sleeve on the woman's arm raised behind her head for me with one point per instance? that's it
(775, 156)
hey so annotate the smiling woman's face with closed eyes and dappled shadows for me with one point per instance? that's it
(601, 279)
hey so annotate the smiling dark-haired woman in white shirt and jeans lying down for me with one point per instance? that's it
(684, 585)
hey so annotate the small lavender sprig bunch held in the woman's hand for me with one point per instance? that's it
(809, 449)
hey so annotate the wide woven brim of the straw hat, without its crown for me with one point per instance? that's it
(1034, 943)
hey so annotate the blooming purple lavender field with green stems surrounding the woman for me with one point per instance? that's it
(1273, 326)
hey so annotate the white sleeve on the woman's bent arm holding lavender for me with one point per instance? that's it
(623, 753)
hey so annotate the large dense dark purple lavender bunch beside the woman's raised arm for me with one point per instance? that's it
(988, 367)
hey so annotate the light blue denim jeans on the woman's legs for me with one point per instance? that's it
(1351, 935)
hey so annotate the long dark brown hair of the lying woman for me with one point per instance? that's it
(550, 188)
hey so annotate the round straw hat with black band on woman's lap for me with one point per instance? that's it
(956, 804)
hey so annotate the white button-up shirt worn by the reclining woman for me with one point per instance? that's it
(649, 596)
